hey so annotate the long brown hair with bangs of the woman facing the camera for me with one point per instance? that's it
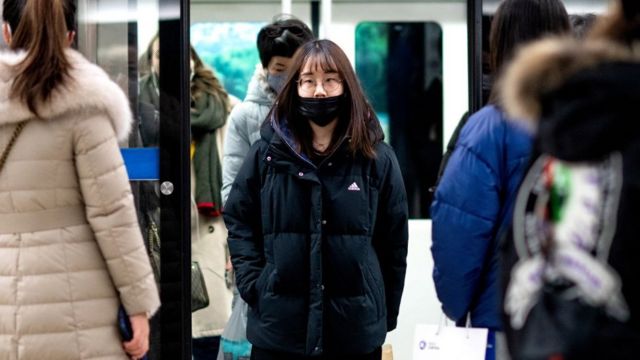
(358, 121)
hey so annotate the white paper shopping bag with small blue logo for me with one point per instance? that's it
(438, 342)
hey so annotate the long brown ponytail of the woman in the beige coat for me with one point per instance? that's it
(40, 28)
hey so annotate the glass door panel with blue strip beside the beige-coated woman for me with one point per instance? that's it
(110, 34)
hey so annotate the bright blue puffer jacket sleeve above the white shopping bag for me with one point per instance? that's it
(464, 215)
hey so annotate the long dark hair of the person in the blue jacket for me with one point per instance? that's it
(517, 22)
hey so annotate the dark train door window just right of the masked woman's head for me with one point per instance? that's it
(400, 66)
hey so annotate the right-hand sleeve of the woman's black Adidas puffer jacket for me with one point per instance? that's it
(391, 235)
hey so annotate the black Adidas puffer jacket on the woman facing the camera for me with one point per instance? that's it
(319, 251)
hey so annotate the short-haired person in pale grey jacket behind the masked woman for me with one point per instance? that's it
(276, 44)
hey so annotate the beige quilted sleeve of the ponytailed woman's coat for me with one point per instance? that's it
(111, 213)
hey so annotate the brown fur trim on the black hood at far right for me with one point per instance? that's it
(544, 66)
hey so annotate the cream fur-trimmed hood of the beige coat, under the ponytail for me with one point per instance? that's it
(87, 89)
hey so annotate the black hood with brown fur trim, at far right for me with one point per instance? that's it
(581, 97)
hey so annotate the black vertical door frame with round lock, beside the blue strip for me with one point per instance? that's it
(175, 225)
